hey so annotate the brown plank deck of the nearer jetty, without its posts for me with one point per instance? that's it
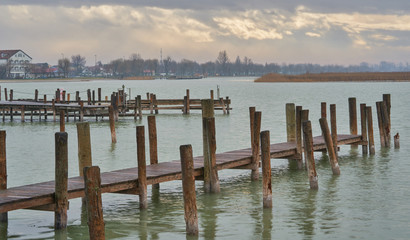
(40, 194)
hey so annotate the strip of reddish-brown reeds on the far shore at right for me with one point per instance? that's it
(338, 77)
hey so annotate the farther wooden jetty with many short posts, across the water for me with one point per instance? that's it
(96, 107)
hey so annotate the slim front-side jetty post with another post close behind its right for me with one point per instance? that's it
(142, 174)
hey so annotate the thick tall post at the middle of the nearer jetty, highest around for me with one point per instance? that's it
(211, 180)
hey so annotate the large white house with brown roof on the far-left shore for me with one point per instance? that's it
(15, 63)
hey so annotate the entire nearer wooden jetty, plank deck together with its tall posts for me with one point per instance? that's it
(300, 145)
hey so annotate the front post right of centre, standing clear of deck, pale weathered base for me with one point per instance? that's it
(266, 170)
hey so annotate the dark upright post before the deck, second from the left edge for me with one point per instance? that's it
(61, 180)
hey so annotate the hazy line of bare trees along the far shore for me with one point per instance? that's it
(135, 66)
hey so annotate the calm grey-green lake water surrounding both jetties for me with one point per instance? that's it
(369, 200)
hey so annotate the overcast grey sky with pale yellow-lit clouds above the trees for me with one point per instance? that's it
(290, 31)
